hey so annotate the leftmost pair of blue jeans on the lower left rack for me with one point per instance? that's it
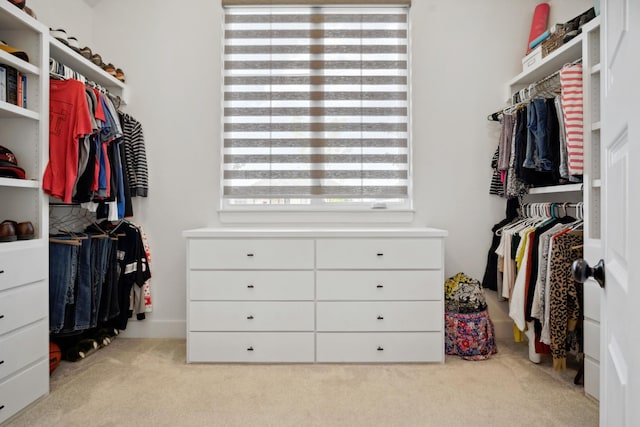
(63, 260)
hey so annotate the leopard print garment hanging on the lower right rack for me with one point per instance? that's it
(564, 307)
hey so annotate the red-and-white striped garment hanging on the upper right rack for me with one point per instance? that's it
(572, 107)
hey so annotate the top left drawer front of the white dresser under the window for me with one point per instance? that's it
(258, 254)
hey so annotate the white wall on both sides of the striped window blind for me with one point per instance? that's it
(463, 53)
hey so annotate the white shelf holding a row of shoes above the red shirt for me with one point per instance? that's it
(91, 71)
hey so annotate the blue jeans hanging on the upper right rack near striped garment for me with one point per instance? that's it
(537, 140)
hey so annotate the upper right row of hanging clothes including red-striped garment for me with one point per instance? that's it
(540, 142)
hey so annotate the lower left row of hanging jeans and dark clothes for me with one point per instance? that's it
(94, 275)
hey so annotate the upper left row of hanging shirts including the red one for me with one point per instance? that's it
(97, 153)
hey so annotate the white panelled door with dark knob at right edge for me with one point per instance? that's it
(620, 150)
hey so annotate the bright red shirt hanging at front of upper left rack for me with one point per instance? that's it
(68, 121)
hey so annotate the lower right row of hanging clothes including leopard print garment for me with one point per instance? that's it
(534, 256)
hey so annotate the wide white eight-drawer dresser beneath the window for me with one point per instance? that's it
(315, 295)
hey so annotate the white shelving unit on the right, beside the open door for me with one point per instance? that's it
(586, 46)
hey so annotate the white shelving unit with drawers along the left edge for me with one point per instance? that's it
(24, 290)
